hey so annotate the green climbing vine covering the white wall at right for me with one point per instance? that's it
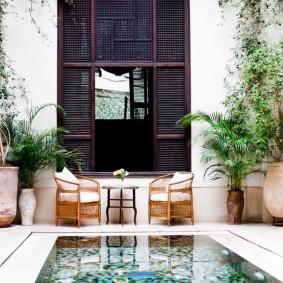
(256, 98)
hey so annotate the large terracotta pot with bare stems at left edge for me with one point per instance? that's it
(8, 179)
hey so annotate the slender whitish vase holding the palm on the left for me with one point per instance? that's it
(27, 204)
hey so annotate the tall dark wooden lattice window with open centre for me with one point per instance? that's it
(123, 78)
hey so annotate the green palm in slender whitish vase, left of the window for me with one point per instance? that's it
(34, 151)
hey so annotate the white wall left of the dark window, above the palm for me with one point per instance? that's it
(34, 56)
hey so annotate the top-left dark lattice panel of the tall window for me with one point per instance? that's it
(76, 31)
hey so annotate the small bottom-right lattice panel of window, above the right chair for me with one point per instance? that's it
(171, 155)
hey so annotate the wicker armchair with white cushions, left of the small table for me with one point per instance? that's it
(77, 200)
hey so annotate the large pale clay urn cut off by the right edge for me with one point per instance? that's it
(273, 189)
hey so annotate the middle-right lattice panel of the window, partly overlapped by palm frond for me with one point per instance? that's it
(170, 99)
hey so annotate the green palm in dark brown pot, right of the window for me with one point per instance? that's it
(227, 154)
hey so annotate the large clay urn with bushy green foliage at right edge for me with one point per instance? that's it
(262, 78)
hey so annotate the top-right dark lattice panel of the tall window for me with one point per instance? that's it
(170, 31)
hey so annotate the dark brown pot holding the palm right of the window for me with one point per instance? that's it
(235, 205)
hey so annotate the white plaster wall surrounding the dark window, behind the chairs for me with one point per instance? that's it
(35, 59)
